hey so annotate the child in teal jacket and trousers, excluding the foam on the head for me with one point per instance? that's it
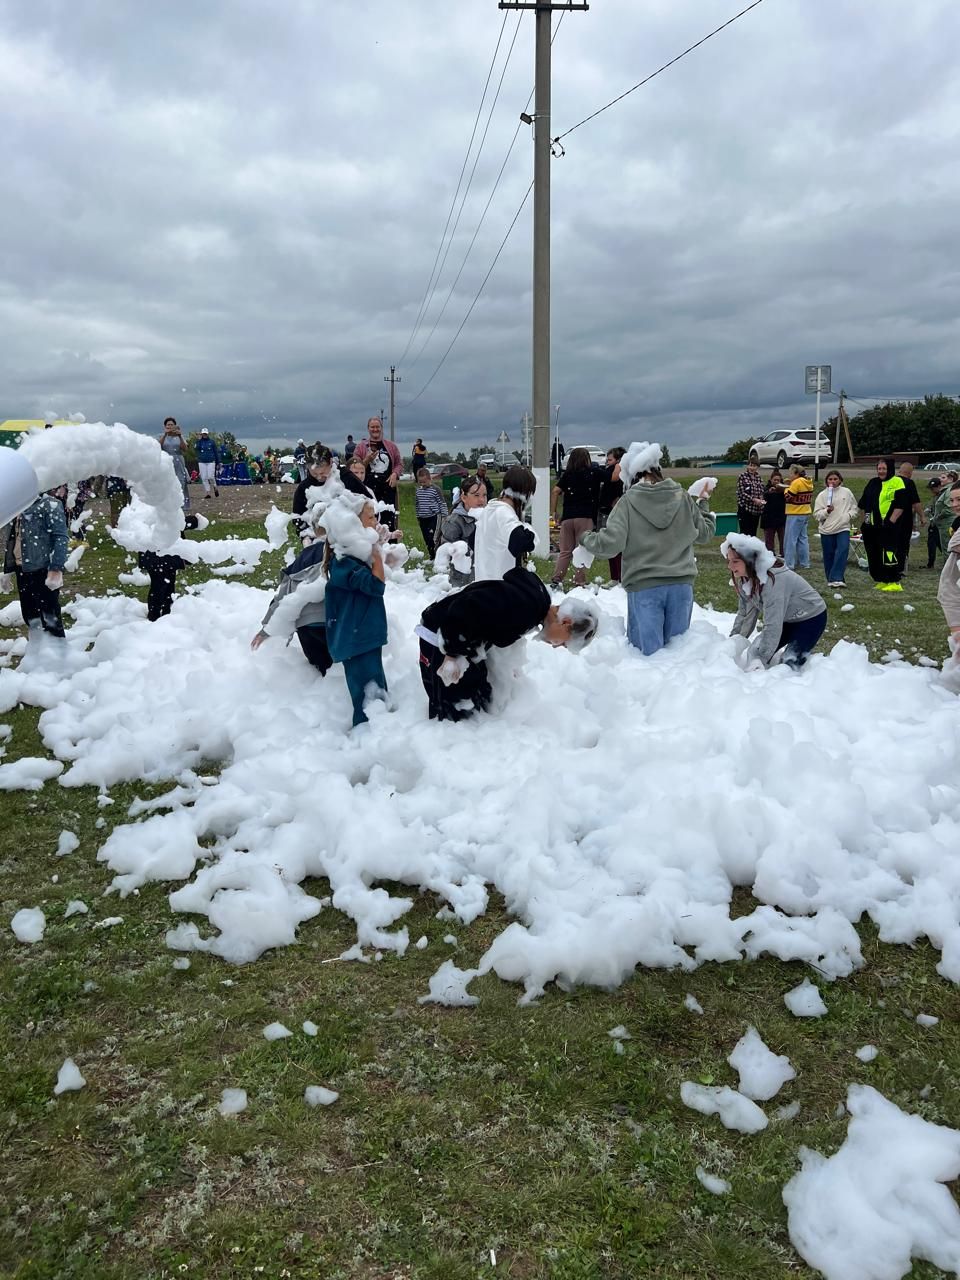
(356, 620)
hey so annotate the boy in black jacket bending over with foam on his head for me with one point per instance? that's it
(458, 630)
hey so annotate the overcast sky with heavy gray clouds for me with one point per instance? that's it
(228, 211)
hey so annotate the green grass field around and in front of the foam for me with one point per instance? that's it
(461, 1136)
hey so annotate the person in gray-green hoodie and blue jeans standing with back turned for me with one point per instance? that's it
(656, 527)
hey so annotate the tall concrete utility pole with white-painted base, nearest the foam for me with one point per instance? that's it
(542, 259)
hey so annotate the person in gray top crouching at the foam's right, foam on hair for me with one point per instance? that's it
(794, 615)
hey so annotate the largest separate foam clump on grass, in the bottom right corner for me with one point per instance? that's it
(881, 1201)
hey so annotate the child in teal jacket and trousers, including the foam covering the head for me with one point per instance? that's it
(356, 619)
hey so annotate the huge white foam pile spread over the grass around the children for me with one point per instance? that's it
(598, 884)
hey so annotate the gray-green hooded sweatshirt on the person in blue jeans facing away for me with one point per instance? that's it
(656, 527)
